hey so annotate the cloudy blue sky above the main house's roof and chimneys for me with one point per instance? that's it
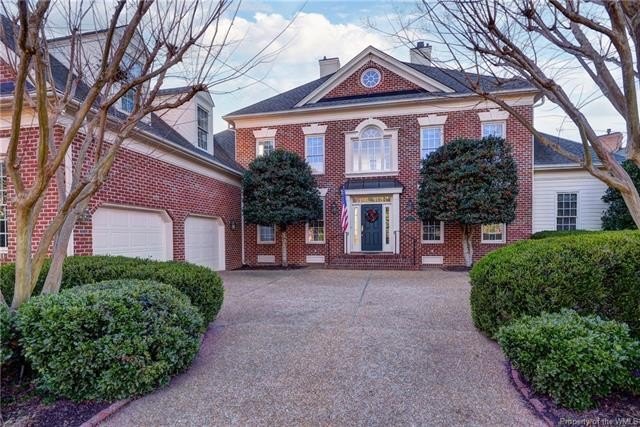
(342, 29)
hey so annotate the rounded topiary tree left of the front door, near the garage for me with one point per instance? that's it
(279, 189)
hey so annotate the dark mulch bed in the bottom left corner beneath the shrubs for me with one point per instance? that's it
(23, 406)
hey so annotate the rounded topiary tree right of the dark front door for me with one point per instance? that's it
(471, 182)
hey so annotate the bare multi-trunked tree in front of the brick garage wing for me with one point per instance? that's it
(73, 94)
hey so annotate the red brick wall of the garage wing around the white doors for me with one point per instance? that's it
(138, 180)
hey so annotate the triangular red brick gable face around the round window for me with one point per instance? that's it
(390, 82)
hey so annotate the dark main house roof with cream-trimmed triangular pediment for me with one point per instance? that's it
(435, 82)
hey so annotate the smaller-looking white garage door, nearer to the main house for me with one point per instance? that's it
(204, 242)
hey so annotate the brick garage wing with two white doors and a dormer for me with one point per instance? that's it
(172, 194)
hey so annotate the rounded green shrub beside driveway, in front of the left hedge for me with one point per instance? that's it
(109, 340)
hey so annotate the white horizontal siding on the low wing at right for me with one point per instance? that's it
(546, 186)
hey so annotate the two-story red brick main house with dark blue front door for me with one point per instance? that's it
(365, 128)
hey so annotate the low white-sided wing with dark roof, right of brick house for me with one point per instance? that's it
(565, 195)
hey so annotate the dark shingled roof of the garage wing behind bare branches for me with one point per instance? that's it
(155, 126)
